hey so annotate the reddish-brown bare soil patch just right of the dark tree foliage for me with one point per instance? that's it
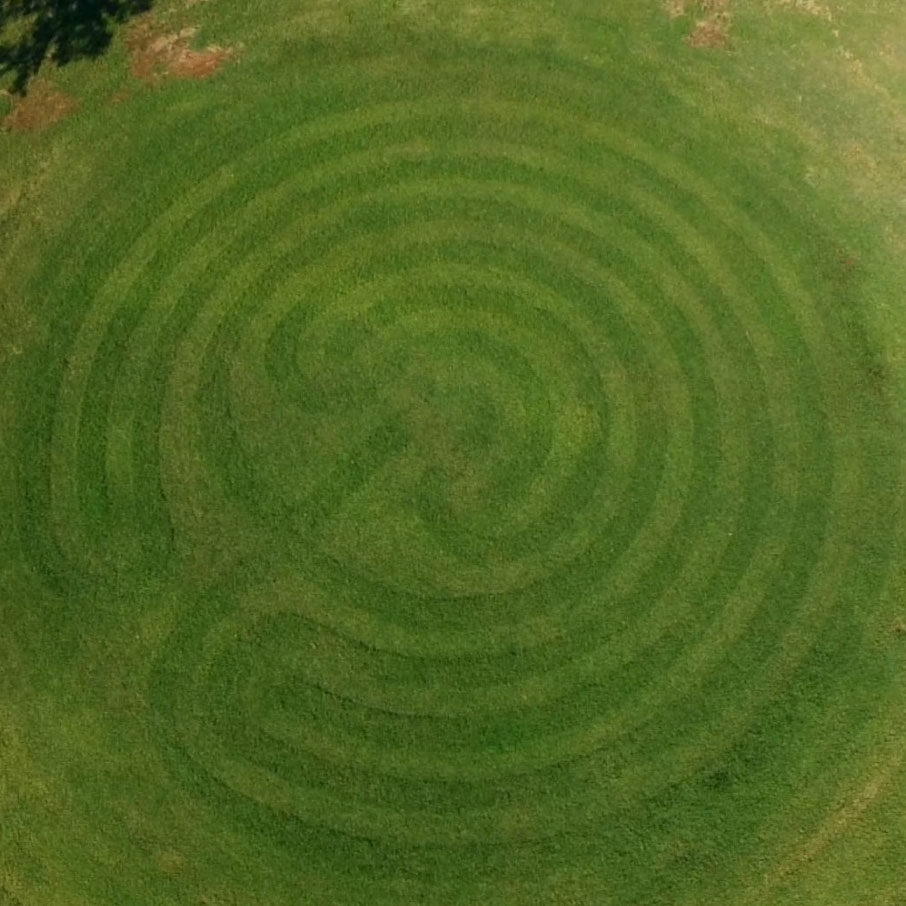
(157, 54)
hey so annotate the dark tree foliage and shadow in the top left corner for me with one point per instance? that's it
(32, 31)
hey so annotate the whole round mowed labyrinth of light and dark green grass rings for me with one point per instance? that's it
(462, 472)
